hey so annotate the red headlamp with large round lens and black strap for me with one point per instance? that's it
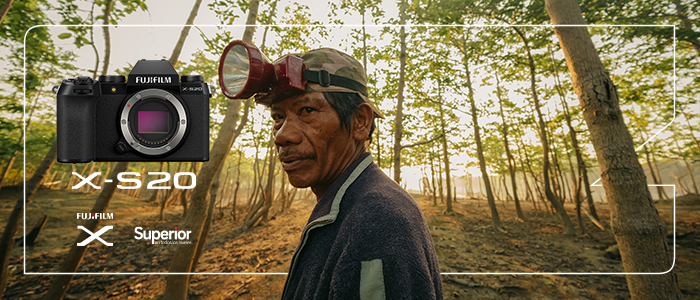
(244, 71)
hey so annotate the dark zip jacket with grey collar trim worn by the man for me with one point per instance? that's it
(365, 239)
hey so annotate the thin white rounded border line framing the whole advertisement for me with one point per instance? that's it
(24, 144)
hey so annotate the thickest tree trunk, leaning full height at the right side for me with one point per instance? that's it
(638, 229)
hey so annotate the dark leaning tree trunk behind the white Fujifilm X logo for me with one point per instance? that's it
(60, 283)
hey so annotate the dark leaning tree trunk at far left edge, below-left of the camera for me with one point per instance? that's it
(8, 235)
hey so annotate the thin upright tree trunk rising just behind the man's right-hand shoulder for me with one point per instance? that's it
(398, 122)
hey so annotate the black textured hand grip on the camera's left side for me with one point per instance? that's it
(75, 126)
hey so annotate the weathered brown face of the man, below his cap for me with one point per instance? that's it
(313, 147)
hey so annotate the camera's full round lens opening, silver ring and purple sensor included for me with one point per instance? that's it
(153, 122)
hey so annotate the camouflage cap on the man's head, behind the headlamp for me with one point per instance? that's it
(339, 64)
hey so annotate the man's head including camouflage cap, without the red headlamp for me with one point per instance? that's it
(319, 133)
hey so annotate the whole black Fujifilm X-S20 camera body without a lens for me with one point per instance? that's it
(152, 117)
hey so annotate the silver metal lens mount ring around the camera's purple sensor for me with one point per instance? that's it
(179, 121)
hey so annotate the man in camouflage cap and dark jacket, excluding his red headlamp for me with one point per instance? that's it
(366, 238)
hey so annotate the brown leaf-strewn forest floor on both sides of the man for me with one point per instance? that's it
(465, 243)
